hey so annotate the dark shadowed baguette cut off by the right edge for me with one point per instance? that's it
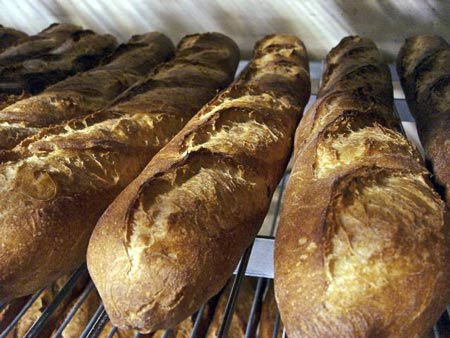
(424, 68)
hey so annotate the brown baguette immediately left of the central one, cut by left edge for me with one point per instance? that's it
(56, 184)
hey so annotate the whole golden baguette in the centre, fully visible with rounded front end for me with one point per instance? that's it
(172, 238)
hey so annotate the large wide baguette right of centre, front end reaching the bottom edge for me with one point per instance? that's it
(362, 248)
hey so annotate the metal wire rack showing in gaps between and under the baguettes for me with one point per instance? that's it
(255, 263)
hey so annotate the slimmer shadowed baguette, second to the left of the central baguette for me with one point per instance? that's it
(85, 92)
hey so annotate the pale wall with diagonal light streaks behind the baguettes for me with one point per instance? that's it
(320, 24)
